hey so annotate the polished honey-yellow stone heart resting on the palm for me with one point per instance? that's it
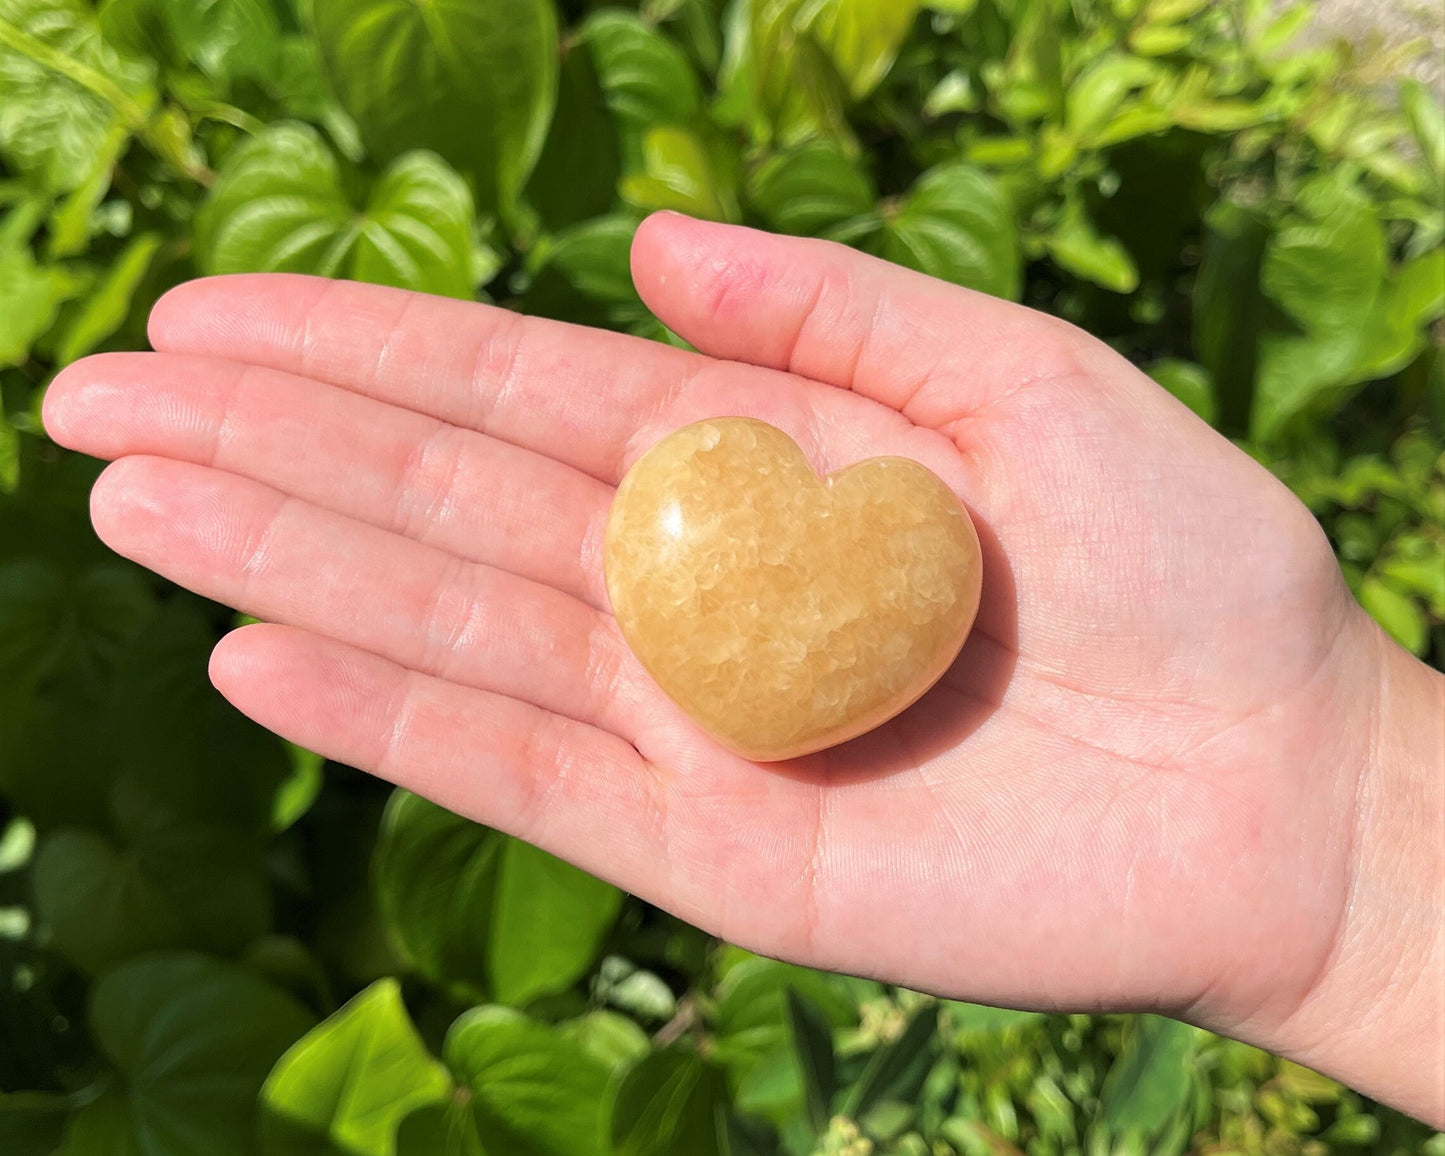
(784, 612)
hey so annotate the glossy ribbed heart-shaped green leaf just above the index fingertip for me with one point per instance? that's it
(280, 207)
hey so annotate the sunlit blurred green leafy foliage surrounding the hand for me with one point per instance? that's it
(215, 944)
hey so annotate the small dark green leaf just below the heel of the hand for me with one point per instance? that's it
(1152, 1079)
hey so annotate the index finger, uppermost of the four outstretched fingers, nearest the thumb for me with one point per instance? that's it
(566, 391)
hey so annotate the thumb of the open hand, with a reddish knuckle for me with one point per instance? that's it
(924, 348)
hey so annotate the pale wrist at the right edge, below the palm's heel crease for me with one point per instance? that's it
(1375, 1015)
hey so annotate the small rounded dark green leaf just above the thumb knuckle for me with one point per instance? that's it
(810, 190)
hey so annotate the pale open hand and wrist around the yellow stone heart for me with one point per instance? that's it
(1176, 768)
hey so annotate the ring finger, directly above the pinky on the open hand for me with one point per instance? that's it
(287, 561)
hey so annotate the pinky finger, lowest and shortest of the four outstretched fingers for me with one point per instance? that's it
(570, 788)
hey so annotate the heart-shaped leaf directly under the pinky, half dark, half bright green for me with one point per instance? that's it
(485, 914)
